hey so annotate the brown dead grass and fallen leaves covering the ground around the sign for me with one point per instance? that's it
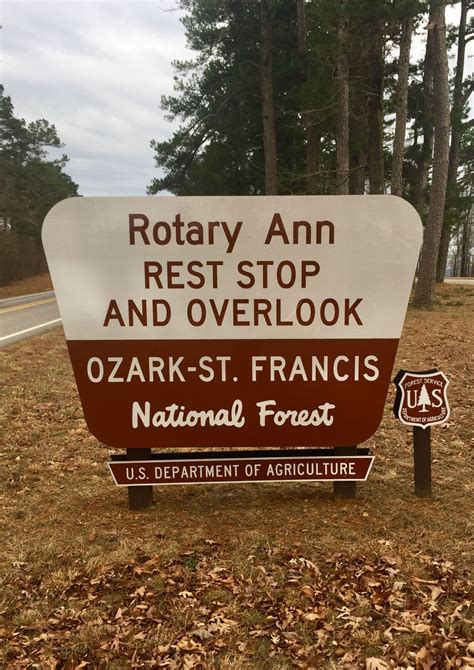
(234, 576)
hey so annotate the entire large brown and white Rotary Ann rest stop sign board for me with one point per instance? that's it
(232, 321)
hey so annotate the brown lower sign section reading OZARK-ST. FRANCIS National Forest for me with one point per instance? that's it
(232, 393)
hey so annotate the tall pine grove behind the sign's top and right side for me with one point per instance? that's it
(323, 97)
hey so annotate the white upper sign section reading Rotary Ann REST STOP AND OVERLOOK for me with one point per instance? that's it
(177, 268)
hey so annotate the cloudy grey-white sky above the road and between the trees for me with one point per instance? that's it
(97, 70)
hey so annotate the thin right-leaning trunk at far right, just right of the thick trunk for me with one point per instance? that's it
(456, 121)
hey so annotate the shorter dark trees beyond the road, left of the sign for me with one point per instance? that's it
(30, 184)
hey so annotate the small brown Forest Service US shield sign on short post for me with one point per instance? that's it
(421, 398)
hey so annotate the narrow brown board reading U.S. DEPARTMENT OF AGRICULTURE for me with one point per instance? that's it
(241, 470)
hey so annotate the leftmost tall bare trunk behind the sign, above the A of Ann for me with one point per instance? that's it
(268, 108)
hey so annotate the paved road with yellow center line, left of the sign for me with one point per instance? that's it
(27, 316)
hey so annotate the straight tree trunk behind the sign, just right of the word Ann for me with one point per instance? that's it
(342, 87)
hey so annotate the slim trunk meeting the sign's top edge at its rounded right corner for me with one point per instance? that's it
(401, 97)
